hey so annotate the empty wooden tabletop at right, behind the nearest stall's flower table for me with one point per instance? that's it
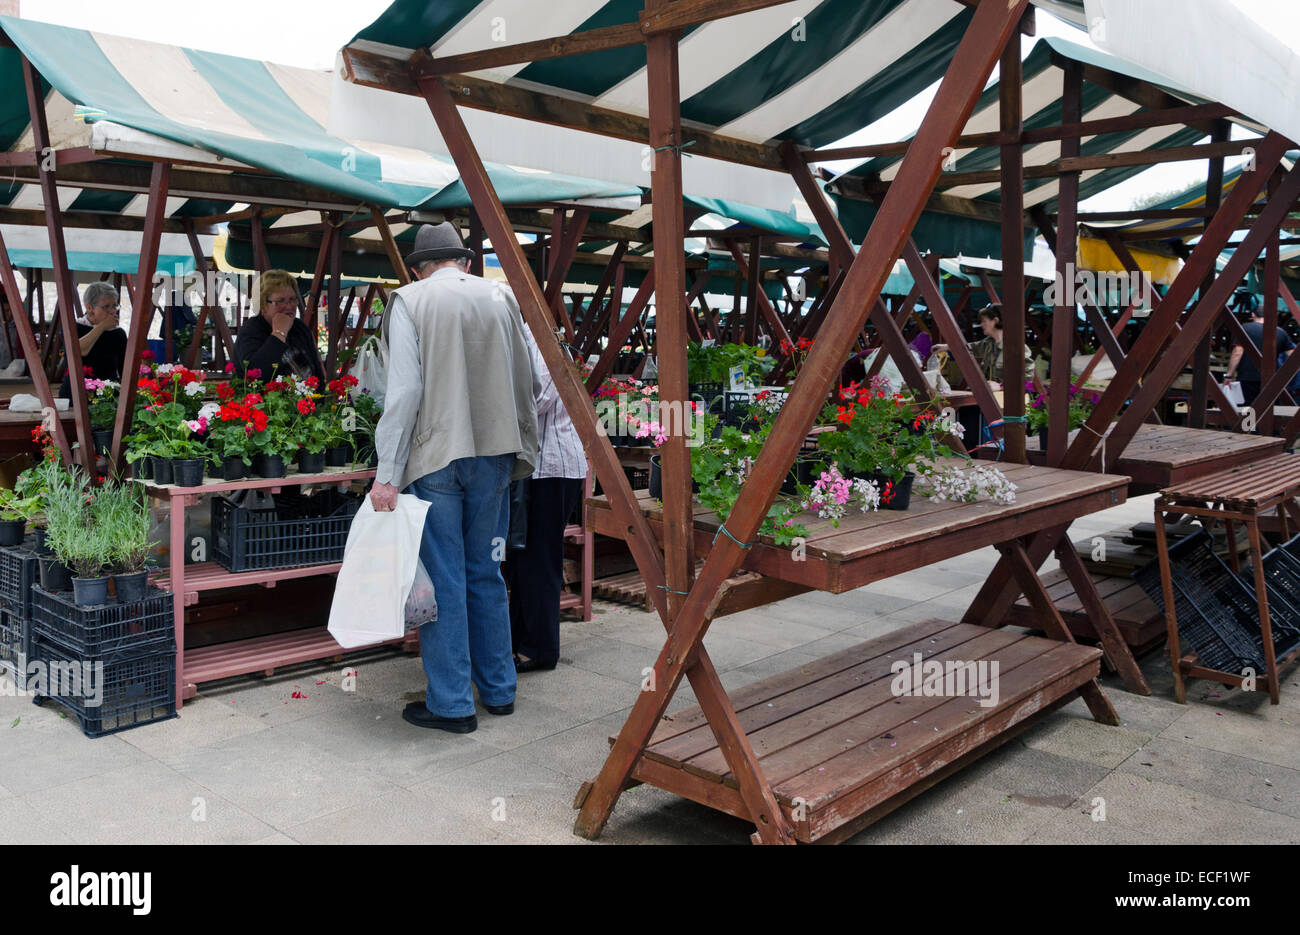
(1160, 456)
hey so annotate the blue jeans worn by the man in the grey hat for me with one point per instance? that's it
(465, 540)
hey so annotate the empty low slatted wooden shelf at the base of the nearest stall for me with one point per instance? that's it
(838, 744)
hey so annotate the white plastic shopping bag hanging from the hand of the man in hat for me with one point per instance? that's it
(382, 572)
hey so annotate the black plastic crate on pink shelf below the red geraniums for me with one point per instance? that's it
(296, 530)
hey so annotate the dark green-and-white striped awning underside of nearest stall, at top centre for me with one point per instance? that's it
(809, 71)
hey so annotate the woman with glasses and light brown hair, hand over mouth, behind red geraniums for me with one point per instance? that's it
(276, 340)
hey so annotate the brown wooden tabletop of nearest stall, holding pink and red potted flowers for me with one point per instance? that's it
(872, 547)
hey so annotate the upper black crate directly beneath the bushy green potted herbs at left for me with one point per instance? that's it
(96, 631)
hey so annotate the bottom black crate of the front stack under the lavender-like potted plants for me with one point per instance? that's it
(132, 689)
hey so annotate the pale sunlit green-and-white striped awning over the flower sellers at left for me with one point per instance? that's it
(124, 96)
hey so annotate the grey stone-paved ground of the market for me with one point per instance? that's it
(249, 763)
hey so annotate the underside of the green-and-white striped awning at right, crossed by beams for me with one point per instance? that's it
(1042, 109)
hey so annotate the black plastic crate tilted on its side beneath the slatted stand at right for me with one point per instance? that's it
(1217, 612)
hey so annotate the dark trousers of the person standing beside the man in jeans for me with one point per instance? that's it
(536, 574)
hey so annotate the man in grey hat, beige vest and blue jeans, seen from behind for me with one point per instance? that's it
(460, 425)
